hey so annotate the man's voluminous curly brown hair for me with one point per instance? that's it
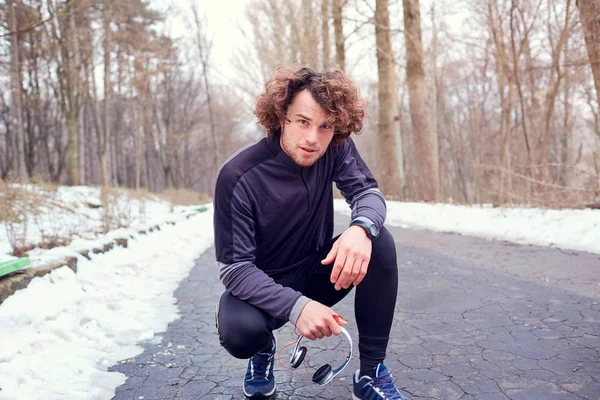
(333, 91)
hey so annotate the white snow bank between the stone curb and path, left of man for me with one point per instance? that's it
(61, 333)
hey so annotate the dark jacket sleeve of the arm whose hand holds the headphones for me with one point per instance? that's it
(235, 245)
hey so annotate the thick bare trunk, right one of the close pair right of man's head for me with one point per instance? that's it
(426, 145)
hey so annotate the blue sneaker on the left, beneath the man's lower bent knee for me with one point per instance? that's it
(259, 381)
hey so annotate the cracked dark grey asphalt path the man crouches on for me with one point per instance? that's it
(475, 319)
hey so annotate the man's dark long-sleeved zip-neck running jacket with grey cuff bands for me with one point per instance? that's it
(270, 213)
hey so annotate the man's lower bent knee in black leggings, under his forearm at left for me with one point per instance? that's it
(242, 332)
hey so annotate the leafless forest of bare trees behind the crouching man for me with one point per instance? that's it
(487, 101)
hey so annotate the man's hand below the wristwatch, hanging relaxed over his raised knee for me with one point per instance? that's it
(351, 253)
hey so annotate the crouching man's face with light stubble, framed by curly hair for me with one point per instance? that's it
(307, 136)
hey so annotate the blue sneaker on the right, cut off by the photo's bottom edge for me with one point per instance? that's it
(379, 388)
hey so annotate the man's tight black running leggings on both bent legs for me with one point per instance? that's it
(245, 329)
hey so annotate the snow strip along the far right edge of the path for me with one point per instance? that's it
(566, 229)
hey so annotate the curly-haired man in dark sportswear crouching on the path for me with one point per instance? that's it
(273, 232)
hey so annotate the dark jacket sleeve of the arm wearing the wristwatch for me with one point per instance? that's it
(358, 186)
